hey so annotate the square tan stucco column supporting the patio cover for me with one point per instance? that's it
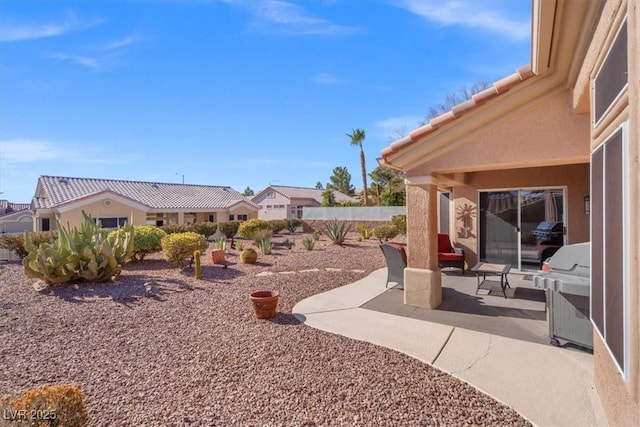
(422, 277)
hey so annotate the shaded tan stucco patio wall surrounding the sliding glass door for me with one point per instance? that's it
(574, 177)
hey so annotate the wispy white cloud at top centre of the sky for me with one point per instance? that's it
(289, 18)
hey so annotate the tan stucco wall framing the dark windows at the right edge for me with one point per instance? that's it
(620, 398)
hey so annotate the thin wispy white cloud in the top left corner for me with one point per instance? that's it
(12, 31)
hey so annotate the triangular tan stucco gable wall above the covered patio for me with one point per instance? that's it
(548, 133)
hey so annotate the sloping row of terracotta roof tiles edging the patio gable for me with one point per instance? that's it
(498, 88)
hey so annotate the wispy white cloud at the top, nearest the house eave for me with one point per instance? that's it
(475, 14)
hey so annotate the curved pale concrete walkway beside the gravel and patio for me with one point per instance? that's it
(549, 386)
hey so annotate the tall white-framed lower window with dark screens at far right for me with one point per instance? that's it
(610, 245)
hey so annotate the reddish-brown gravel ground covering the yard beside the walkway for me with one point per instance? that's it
(192, 352)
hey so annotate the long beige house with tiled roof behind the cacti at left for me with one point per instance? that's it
(116, 202)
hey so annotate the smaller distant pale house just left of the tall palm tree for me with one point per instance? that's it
(280, 202)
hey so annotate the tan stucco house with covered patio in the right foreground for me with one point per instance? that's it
(559, 140)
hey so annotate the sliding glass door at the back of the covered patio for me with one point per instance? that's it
(516, 226)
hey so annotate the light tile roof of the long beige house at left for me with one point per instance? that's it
(61, 190)
